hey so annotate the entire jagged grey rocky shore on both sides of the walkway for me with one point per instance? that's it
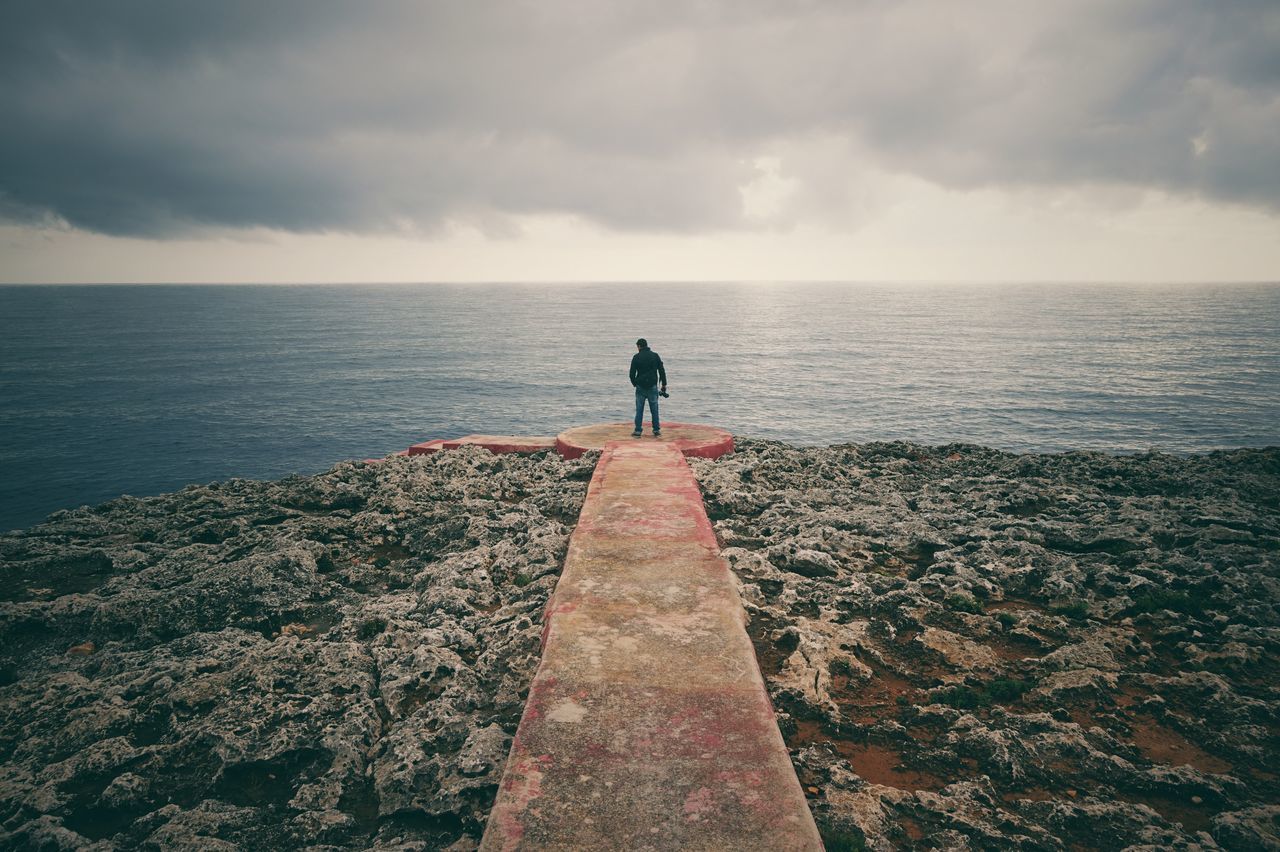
(967, 649)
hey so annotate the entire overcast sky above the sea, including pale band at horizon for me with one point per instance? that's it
(591, 140)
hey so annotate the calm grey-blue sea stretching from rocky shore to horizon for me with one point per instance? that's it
(109, 391)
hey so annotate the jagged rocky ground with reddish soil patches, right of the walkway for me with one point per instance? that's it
(971, 649)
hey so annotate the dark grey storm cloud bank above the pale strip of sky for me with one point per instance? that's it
(153, 118)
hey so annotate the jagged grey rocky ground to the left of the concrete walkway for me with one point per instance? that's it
(322, 662)
